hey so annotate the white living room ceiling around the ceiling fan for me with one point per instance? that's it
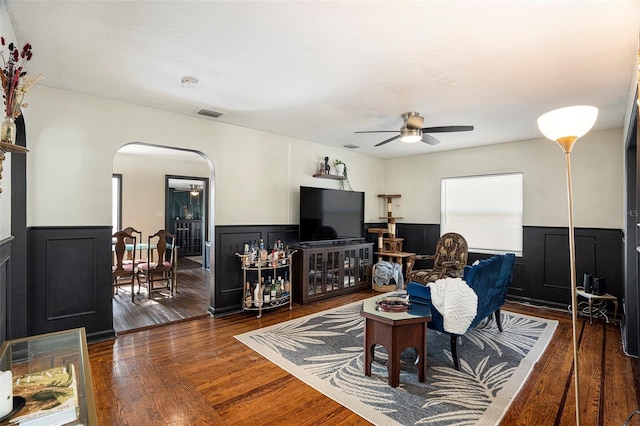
(320, 70)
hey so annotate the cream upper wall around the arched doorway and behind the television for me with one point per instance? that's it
(73, 139)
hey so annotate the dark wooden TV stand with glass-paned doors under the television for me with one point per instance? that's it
(325, 271)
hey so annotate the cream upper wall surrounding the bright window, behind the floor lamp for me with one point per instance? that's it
(596, 163)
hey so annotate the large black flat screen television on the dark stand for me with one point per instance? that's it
(330, 215)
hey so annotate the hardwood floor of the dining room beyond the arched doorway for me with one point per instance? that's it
(190, 301)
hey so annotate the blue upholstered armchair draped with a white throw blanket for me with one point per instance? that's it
(489, 279)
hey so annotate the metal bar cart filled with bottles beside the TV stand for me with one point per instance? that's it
(260, 270)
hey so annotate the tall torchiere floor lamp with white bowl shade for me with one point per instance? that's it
(565, 126)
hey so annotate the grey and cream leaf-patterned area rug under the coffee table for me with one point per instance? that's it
(325, 351)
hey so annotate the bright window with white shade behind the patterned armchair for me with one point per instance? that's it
(486, 210)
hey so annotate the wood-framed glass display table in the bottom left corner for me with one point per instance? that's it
(37, 353)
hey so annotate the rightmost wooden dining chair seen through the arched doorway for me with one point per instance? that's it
(161, 247)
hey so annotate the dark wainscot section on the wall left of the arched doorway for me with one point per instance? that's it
(69, 282)
